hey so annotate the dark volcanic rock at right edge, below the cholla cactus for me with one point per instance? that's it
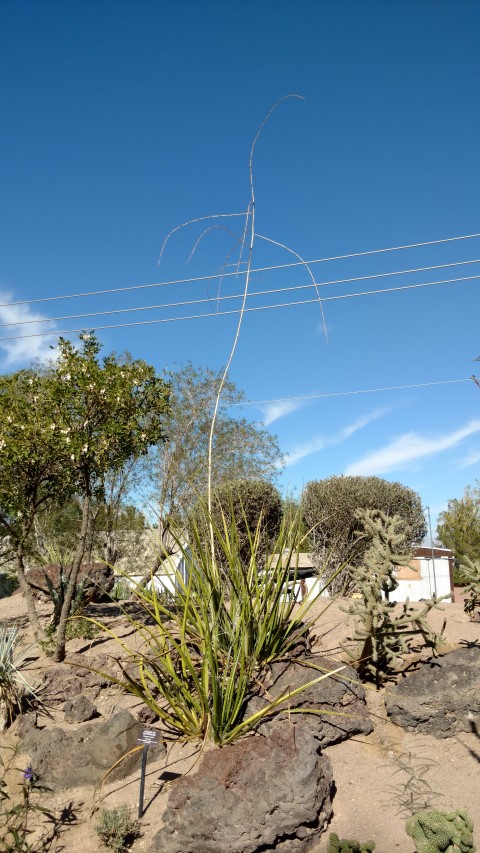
(442, 698)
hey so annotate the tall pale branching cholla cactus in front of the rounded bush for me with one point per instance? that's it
(382, 638)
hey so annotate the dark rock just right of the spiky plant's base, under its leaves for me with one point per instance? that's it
(332, 694)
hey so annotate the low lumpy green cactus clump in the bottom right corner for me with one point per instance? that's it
(436, 832)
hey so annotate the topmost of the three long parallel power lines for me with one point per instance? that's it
(236, 273)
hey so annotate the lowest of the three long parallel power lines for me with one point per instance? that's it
(56, 332)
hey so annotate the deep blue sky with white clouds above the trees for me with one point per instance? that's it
(121, 120)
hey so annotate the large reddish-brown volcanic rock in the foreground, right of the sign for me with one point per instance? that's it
(259, 794)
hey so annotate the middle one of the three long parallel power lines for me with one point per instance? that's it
(288, 289)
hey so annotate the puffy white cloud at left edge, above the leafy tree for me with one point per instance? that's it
(22, 350)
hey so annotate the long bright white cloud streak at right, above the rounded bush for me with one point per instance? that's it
(407, 448)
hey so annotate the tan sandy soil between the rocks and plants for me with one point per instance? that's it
(371, 789)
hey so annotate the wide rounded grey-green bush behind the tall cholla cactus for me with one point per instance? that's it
(329, 509)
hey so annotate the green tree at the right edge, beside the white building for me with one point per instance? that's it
(459, 527)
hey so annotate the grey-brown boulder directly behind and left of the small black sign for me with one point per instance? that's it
(65, 759)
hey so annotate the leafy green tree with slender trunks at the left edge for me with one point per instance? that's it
(92, 416)
